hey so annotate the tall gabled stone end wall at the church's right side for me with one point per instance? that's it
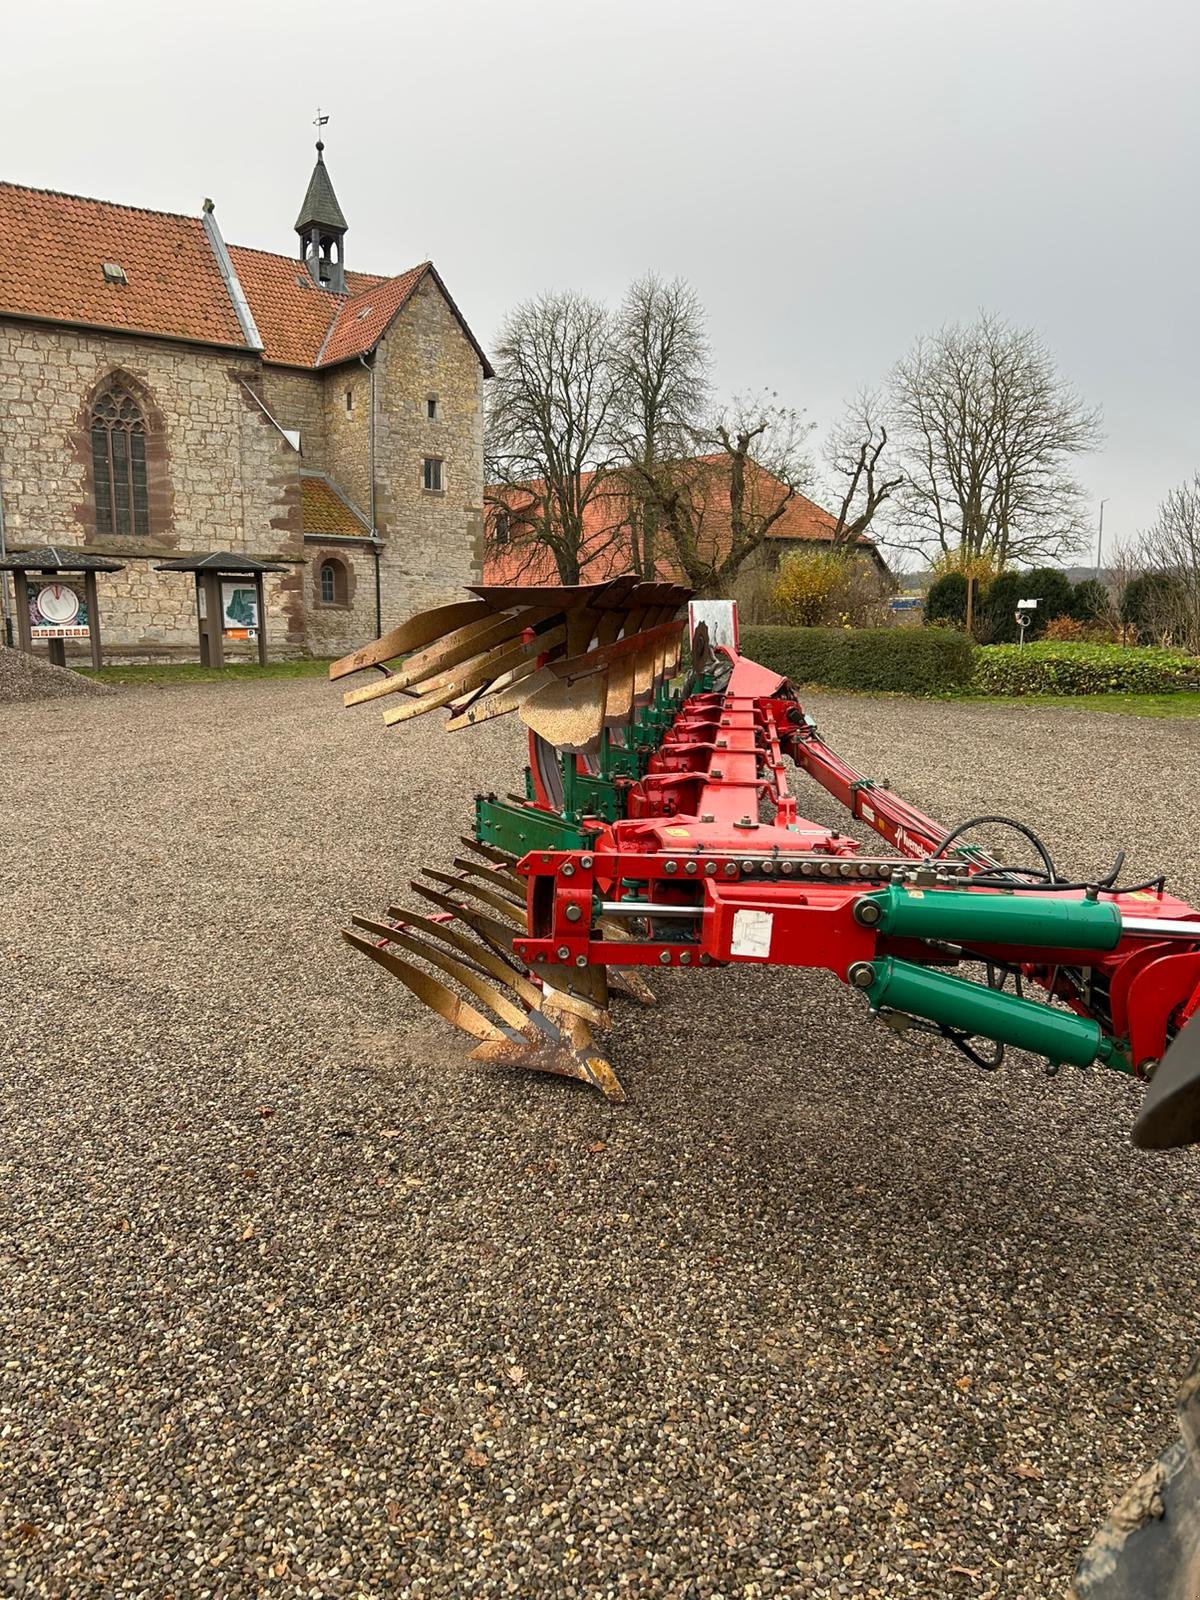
(433, 542)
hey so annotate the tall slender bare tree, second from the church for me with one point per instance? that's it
(662, 369)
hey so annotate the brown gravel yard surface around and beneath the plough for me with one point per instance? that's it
(295, 1302)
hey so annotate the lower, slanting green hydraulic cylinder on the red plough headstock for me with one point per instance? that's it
(974, 1009)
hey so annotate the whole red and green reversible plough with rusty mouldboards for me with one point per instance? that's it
(658, 831)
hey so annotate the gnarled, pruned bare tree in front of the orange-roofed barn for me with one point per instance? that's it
(719, 505)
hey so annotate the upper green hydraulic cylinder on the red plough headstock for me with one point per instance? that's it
(983, 918)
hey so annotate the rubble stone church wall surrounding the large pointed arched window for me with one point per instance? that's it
(231, 479)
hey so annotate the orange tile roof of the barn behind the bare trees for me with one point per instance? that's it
(607, 538)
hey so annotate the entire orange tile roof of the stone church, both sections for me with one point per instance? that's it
(175, 286)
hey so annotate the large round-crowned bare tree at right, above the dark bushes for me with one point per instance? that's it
(988, 431)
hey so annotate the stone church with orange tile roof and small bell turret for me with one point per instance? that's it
(166, 394)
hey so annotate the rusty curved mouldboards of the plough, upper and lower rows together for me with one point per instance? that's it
(580, 666)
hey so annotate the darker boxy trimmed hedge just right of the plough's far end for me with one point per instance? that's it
(903, 660)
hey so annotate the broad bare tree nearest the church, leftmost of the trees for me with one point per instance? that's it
(553, 410)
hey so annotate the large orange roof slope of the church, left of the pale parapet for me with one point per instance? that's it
(62, 244)
